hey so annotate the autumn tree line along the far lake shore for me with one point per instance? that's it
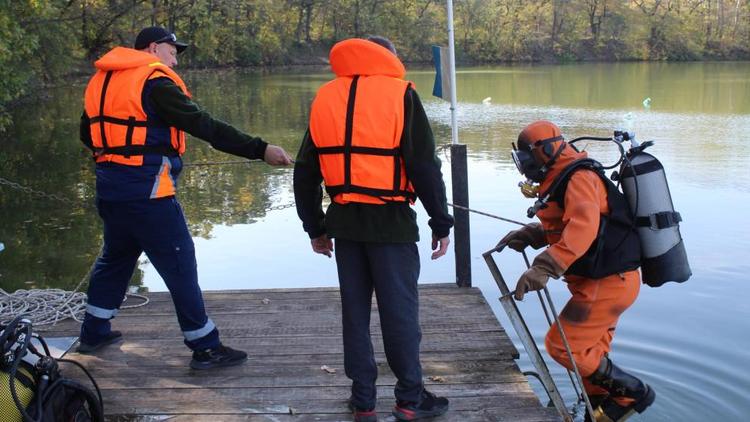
(45, 42)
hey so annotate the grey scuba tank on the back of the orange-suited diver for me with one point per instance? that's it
(644, 183)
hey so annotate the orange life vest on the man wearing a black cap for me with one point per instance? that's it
(113, 103)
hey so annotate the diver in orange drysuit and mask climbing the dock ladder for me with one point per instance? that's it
(592, 243)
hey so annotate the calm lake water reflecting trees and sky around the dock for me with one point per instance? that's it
(688, 341)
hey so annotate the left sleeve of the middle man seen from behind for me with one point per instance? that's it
(308, 193)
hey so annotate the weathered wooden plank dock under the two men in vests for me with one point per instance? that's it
(289, 335)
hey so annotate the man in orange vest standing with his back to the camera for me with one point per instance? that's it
(383, 160)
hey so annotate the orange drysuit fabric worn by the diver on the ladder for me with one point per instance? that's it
(590, 316)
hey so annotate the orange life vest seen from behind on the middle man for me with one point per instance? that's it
(356, 123)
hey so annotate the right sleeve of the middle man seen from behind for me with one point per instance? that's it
(423, 165)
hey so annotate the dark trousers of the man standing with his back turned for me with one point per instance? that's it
(391, 270)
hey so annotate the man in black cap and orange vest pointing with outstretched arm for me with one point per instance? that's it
(136, 110)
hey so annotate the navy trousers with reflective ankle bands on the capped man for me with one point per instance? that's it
(158, 228)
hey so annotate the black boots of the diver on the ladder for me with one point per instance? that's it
(620, 384)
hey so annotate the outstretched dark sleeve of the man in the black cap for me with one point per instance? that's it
(178, 110)
